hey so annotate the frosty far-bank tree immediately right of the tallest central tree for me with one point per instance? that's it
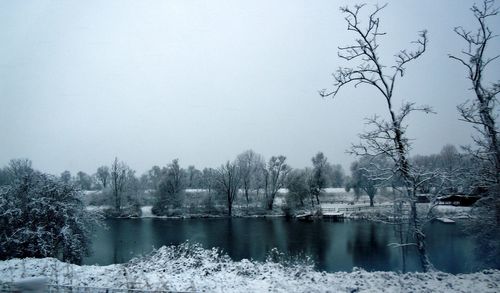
(275, 175)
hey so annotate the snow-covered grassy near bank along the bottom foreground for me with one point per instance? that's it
(191, 268)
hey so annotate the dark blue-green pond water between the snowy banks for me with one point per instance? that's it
(334, 246)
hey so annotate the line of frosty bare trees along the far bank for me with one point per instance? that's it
(251, 180)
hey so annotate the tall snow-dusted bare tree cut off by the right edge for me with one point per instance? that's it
(482, 112)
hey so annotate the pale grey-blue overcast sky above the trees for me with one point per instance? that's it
(83, 82)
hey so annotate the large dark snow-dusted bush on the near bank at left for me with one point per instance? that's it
(41, 216)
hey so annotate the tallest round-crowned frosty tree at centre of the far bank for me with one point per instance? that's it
(249, 163)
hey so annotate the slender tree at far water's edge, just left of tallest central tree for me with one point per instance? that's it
(228, 180)
